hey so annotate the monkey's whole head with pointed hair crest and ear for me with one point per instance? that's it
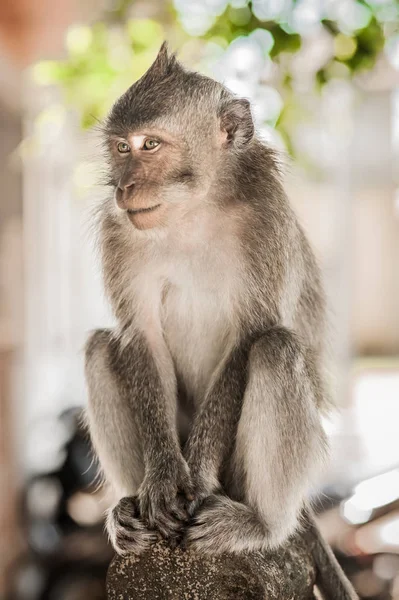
(169, 139)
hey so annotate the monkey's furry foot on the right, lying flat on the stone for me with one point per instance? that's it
(223, 525)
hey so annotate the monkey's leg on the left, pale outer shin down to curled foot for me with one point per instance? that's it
(115, 438)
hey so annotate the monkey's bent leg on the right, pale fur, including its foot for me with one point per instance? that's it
(280, 446)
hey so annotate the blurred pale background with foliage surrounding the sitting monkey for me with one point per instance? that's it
(323, 76)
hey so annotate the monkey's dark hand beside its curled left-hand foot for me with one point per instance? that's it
(164, 495)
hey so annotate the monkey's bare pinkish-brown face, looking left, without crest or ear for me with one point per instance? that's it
(154, 176)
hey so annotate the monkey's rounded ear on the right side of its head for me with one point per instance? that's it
(236, 122)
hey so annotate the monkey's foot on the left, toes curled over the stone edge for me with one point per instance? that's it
(127, 532)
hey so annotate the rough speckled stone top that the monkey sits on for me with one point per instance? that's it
(165, 574)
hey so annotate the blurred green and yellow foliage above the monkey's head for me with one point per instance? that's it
(103, 59)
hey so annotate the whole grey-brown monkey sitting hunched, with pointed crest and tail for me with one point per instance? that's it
(205, 401)
